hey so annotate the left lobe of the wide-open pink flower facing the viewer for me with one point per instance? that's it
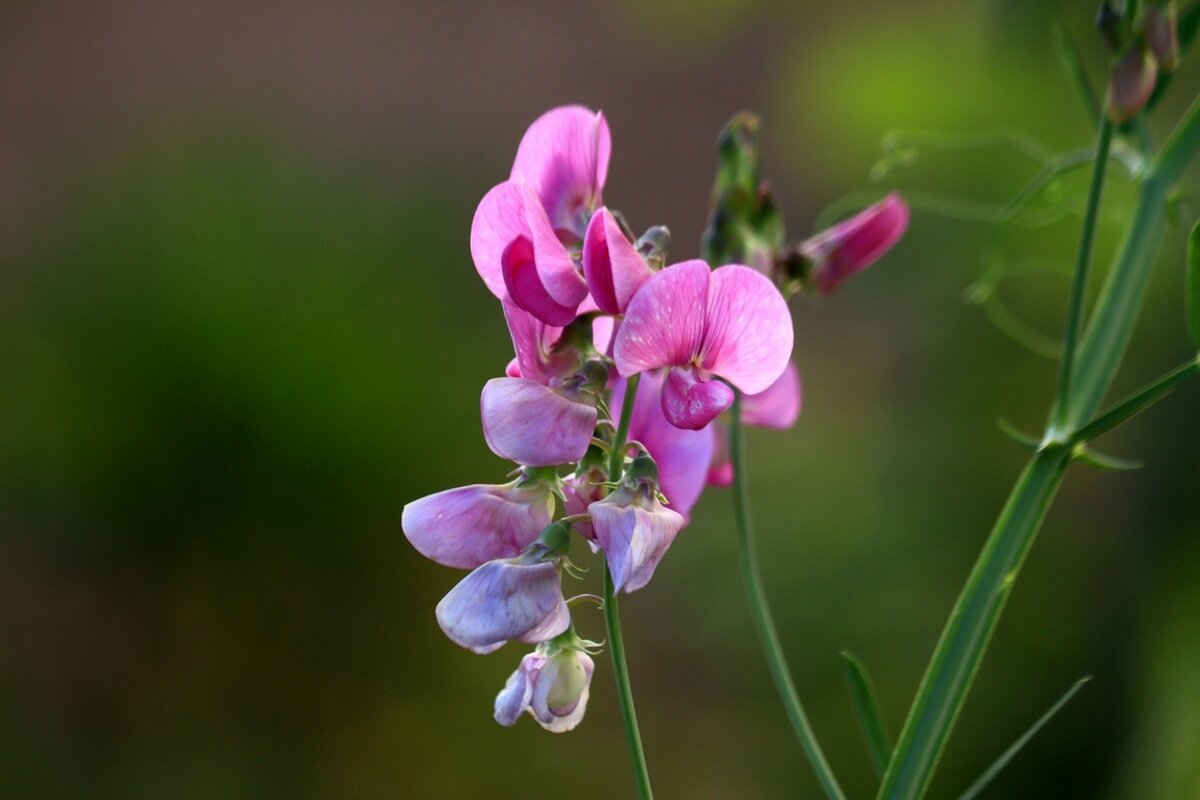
(664, 324)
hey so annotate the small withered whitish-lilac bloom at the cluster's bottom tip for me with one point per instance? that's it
(553, 688)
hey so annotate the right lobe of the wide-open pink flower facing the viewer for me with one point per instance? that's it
(749, 336)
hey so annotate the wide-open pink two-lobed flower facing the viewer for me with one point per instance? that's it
(729, 323)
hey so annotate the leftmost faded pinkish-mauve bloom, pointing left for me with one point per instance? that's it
(472, 525)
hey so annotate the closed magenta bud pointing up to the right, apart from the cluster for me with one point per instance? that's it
(853, 245)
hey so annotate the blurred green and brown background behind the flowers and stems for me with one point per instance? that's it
(241, 328)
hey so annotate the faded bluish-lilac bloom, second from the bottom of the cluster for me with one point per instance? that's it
(507, 599)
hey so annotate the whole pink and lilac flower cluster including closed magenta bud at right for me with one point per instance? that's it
(595, 315)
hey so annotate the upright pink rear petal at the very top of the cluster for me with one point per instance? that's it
(565, 159)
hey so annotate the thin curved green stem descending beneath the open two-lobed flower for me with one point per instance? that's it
(763, 618)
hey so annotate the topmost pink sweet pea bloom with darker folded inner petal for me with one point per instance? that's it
(520, 227)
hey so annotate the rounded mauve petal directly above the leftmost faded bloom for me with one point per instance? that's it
(533, 425)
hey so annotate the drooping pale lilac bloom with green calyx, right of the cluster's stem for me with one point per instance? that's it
(634, 528)
